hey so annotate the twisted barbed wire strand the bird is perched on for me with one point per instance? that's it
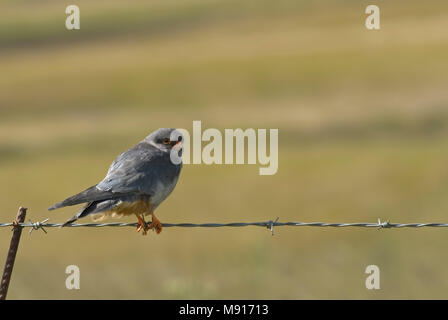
(267, 224)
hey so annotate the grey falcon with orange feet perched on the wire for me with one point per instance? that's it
(137, 182)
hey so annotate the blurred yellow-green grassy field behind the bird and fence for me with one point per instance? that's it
(362, 118)
